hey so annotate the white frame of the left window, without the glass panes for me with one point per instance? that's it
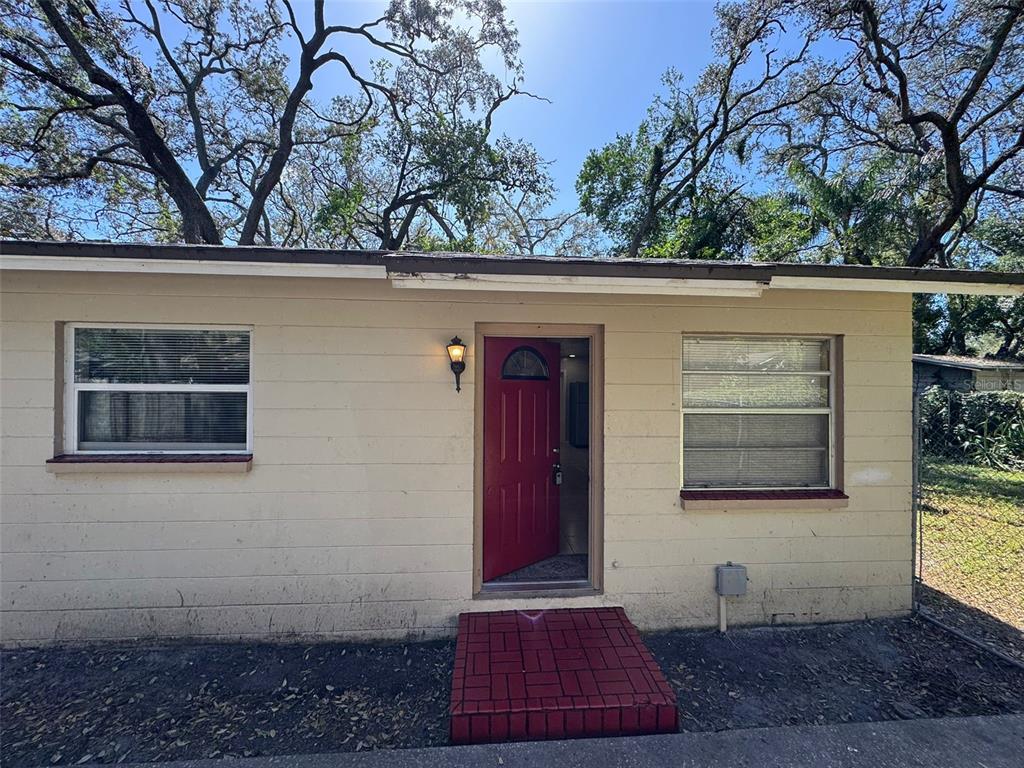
(71, 390)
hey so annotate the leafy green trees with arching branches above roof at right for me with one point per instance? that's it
(885, 133)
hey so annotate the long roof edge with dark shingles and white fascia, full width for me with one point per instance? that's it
(490, 273)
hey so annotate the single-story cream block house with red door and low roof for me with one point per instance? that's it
(252, 443)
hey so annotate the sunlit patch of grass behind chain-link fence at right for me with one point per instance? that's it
(973, 537)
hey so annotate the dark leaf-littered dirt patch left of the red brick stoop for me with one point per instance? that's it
(145, 703)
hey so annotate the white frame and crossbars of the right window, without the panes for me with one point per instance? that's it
(830, 411)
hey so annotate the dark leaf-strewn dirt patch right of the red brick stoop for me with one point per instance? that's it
(859, 672)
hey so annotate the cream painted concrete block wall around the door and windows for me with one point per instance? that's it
(357, 520)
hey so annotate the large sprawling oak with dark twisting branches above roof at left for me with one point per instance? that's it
(197, 120)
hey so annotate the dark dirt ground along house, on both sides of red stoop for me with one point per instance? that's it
(146, 703)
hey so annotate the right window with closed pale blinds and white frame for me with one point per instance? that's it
(757, 413)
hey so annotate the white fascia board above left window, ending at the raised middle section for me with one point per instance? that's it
(178, 267)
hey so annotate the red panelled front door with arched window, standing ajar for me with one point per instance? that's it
(521, 451)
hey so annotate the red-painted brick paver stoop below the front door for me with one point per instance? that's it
(556, 674)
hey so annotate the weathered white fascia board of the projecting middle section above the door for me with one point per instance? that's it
(578, 284)
